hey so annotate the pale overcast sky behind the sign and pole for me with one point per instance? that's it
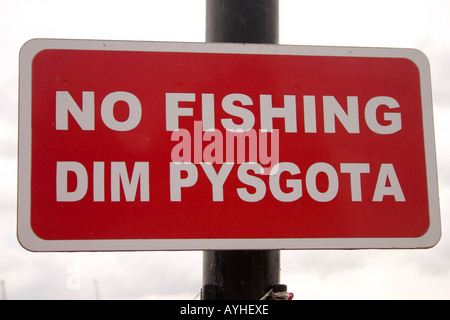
(373, 274)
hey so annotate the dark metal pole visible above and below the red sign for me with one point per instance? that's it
(240, 275)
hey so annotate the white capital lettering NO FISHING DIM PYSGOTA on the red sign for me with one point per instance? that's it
(184, 171)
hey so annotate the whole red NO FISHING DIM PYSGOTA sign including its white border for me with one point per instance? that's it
(189, 146)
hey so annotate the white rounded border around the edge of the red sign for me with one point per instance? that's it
(30, 241)
